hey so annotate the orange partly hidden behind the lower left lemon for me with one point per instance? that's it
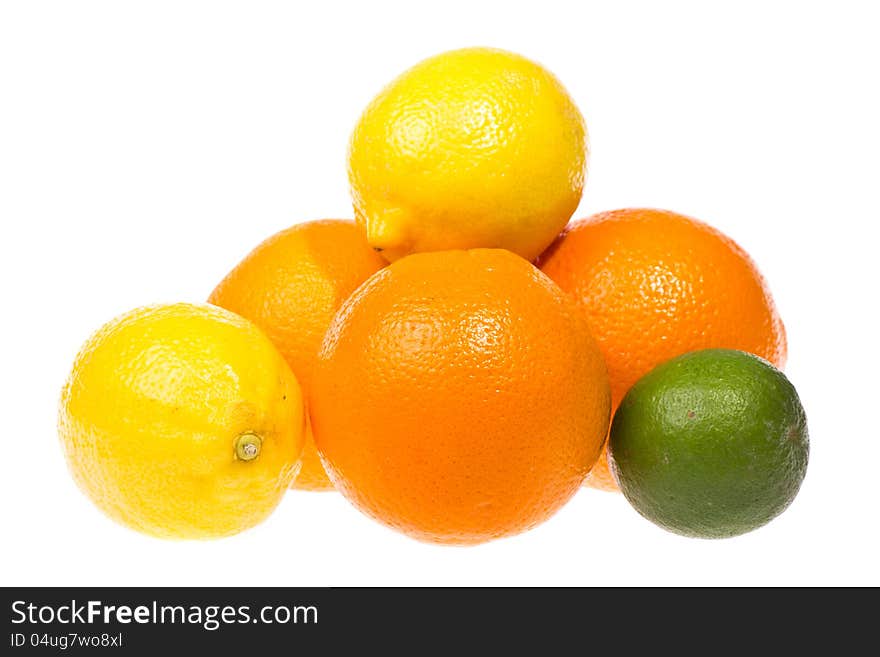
(290, 286)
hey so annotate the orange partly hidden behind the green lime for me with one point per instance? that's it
(656, 284)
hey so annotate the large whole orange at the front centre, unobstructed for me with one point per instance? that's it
(459, 397)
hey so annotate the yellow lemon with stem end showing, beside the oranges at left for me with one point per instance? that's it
(182, 421)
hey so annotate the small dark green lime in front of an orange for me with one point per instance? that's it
(712, 444)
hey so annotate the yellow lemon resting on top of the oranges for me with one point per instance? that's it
(470, 148)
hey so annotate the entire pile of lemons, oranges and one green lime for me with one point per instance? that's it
(452, 359)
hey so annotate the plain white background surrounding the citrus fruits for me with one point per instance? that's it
(146, 146)
